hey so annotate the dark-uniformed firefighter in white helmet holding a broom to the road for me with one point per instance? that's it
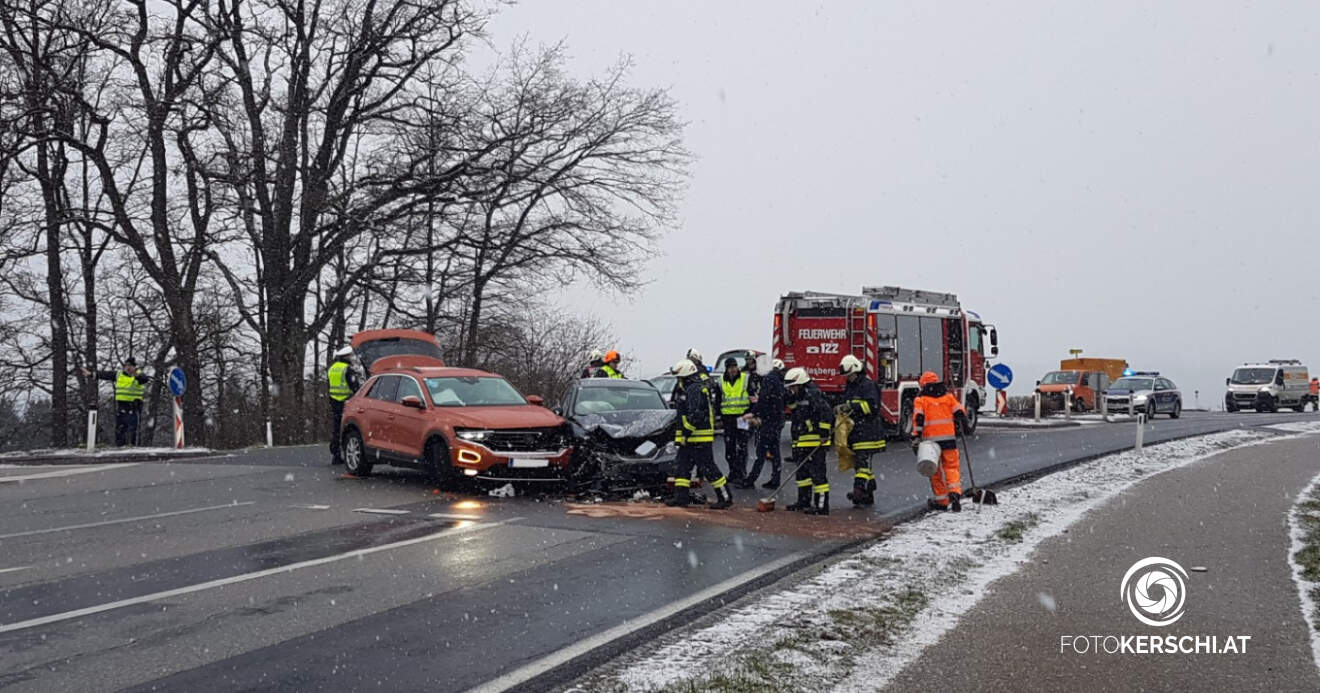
(814, 420)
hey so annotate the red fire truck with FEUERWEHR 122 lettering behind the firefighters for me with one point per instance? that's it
(898, 335)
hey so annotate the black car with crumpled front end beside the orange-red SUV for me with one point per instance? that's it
(622, 434)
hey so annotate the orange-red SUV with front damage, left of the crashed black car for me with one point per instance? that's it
(453, 423)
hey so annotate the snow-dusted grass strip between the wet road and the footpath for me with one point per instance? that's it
(860, 620)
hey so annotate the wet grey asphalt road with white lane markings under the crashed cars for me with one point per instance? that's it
(267, 571)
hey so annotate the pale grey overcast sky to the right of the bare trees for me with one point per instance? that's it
(1137, 180)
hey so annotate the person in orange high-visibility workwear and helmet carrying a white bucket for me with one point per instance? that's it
(939, 416)
